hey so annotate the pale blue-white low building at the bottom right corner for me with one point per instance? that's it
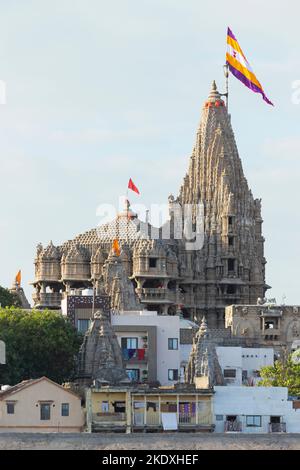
(254, 410)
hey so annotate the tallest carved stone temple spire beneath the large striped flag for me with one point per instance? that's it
(230, 268)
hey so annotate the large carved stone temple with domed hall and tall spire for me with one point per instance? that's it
(169, 275)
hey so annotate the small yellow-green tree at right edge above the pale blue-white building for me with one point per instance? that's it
(282, 374)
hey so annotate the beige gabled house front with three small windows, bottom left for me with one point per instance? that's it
(26, 417)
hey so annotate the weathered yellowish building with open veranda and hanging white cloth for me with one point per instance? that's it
(132, 409)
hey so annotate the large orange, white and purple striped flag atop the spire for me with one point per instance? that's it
(240, 67)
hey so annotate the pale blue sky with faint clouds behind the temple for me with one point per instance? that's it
(97, 92)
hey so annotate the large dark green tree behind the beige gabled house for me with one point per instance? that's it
(38, 343)
